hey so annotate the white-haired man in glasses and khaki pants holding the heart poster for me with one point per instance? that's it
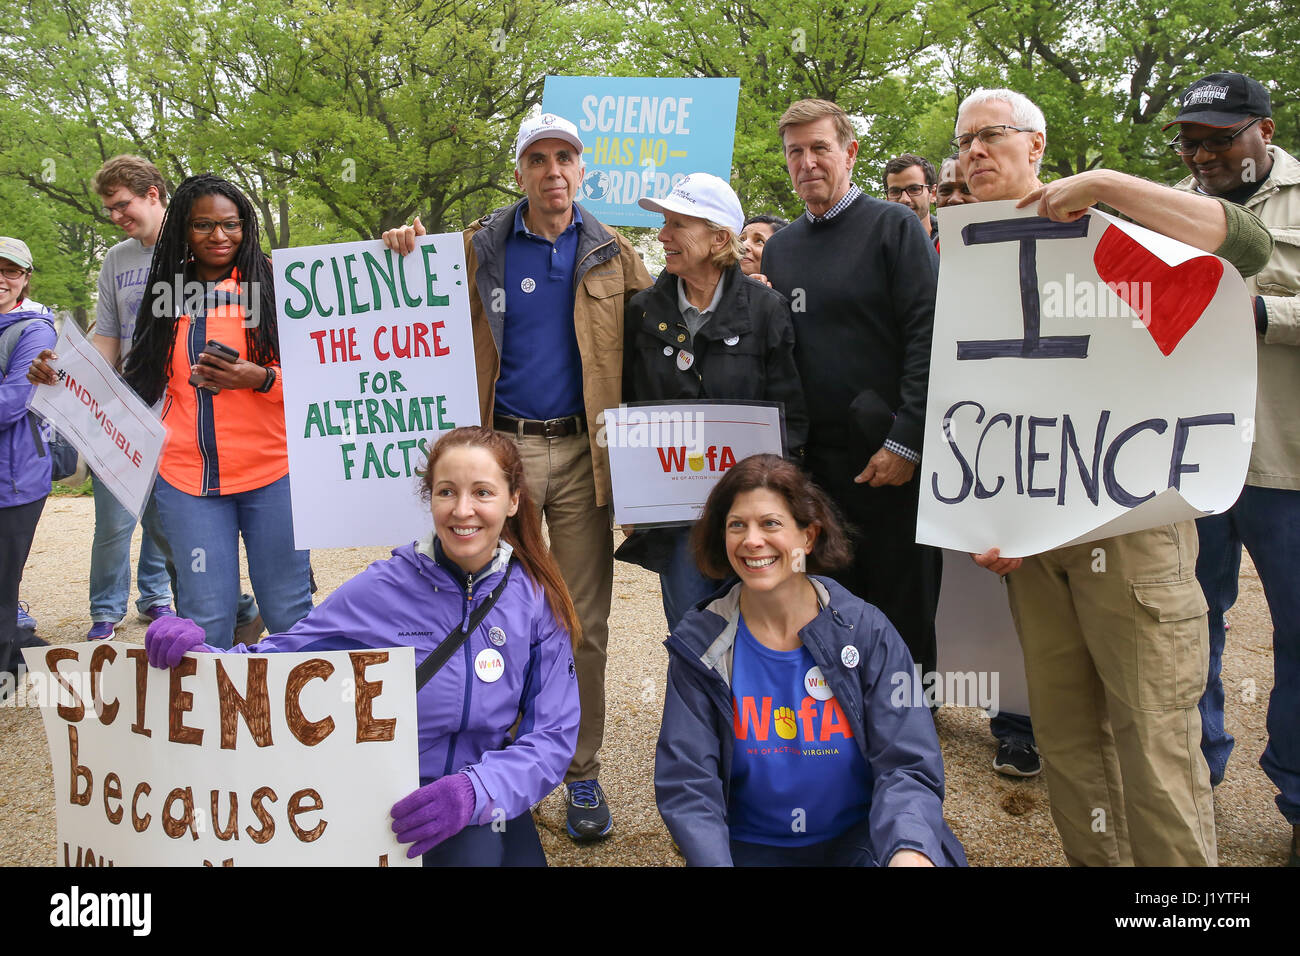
(1121, 738)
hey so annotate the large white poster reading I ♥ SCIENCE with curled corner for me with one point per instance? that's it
(1087, 379)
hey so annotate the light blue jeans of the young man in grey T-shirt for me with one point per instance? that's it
(111, 560)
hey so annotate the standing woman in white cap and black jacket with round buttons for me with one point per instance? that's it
(704, 331)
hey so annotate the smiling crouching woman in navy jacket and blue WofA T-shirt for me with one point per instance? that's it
(788, 737)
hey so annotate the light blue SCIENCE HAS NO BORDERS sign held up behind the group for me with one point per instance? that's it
(643, 135)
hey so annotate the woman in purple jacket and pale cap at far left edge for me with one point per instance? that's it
(27, 328)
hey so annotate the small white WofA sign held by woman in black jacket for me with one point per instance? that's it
(665, 460)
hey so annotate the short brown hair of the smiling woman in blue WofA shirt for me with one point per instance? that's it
(809, 507)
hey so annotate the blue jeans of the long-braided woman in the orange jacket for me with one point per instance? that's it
(205, 537)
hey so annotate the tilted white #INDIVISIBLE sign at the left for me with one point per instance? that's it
(118, 435)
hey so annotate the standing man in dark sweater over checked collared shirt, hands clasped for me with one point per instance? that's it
(861, 278)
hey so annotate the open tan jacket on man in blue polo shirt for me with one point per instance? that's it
(609, 272)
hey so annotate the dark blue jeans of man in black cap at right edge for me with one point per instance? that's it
(1268, 522)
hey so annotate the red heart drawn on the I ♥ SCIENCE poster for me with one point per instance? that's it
(1169, 299)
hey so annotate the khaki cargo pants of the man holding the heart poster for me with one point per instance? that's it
(1116, 652)
